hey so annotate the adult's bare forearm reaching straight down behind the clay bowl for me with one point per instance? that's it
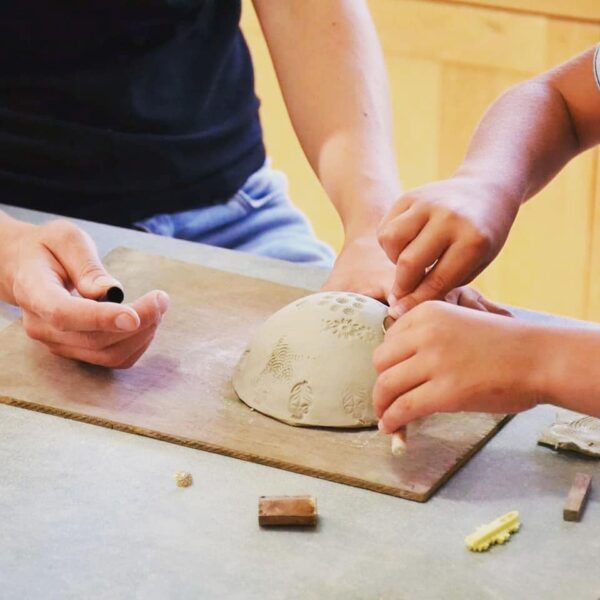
(330, 68)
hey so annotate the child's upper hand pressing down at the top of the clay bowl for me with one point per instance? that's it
(461, 223)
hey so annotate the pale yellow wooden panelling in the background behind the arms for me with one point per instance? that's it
(447, 62)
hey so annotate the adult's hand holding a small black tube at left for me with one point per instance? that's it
(54, 274)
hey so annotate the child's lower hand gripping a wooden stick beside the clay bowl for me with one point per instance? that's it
(445, 358)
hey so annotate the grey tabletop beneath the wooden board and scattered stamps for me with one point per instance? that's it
(87, 512)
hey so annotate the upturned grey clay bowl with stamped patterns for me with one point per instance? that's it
(311, 362)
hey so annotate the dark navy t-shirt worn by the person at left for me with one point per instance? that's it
(117, 110)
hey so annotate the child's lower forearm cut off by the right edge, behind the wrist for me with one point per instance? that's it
(570, 364)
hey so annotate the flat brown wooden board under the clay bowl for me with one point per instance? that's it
(180, 391)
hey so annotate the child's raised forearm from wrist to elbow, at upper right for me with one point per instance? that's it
(523, 141)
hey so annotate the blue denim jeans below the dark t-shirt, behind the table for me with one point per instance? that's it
(259, 219)
